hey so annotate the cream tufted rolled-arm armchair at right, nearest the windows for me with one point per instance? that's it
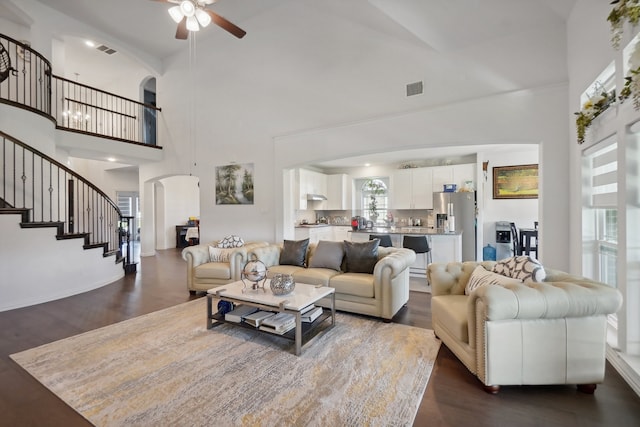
(550, 332)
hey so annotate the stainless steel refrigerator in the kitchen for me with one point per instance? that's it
(463, 207)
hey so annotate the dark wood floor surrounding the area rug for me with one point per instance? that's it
(453, 397)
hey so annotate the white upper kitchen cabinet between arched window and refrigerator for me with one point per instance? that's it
(412, 189)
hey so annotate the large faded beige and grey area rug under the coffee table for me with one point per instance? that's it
(166, 368)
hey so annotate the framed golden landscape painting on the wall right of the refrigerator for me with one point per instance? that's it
(515, 182)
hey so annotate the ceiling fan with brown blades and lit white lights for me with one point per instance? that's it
(190, 15)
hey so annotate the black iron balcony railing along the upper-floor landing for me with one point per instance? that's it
(26, 82)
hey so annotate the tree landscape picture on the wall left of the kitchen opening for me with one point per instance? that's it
(234, 184)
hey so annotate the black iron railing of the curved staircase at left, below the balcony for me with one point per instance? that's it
(49, 194)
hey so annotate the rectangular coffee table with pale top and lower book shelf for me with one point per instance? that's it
(303, 296)
